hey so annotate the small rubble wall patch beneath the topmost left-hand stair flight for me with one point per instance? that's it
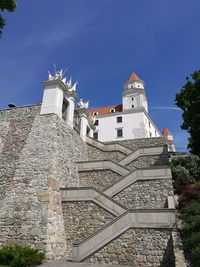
(95, 153)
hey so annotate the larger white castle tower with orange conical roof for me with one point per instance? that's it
(134, 95)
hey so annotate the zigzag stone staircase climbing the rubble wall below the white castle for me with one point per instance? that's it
(139, 199)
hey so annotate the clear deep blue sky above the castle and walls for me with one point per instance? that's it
(101, 43)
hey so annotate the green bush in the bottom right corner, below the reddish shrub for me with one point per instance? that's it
(191, 231)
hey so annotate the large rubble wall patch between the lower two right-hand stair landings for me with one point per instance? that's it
(146, 194)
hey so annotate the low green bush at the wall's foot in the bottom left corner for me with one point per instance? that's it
(20, 256)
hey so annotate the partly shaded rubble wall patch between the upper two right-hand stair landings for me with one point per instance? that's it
(148, 161)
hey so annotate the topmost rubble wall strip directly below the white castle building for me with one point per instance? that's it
(134, 144)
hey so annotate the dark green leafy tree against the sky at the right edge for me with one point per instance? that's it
(189, 101)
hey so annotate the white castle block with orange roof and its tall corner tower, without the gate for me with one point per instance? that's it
(132, 121)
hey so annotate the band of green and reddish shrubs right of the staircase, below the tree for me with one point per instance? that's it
(186, 176)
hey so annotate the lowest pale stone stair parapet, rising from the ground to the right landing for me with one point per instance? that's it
(134, 218)
